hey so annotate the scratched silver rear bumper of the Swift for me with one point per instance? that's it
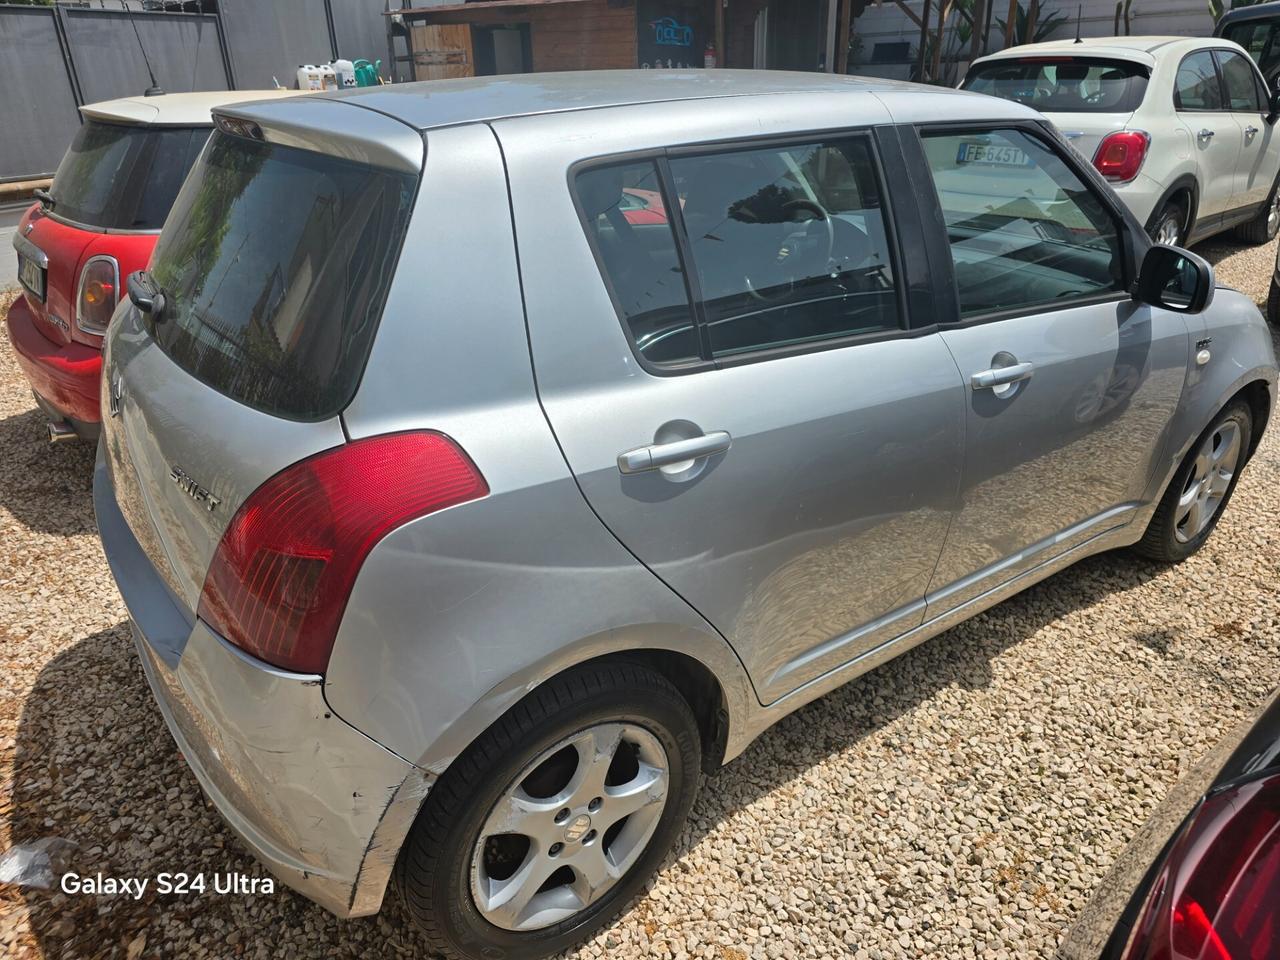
(321, 804)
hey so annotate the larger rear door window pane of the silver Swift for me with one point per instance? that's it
(789, 244)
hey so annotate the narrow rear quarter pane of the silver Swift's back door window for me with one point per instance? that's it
(629, 227)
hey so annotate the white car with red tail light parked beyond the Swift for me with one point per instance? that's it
(1183, 129)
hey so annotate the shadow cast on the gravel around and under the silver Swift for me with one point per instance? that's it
(95, 765)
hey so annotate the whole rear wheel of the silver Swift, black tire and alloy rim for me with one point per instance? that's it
(546, 828)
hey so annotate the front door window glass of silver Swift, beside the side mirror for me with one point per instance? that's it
(1026, 231)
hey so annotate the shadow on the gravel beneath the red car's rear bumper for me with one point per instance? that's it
(48, 488)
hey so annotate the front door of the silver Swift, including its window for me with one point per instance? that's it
(1071, 385)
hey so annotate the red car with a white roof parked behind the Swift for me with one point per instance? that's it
(97, 226)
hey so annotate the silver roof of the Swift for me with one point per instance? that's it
(445, 103)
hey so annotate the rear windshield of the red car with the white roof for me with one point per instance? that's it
(125, 179)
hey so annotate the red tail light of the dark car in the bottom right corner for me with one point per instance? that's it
(1217, 895)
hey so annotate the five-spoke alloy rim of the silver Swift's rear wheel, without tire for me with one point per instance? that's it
(575, 821)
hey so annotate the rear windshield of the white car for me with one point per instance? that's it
(1063, 84)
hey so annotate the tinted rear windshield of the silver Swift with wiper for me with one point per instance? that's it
(276, 266)
